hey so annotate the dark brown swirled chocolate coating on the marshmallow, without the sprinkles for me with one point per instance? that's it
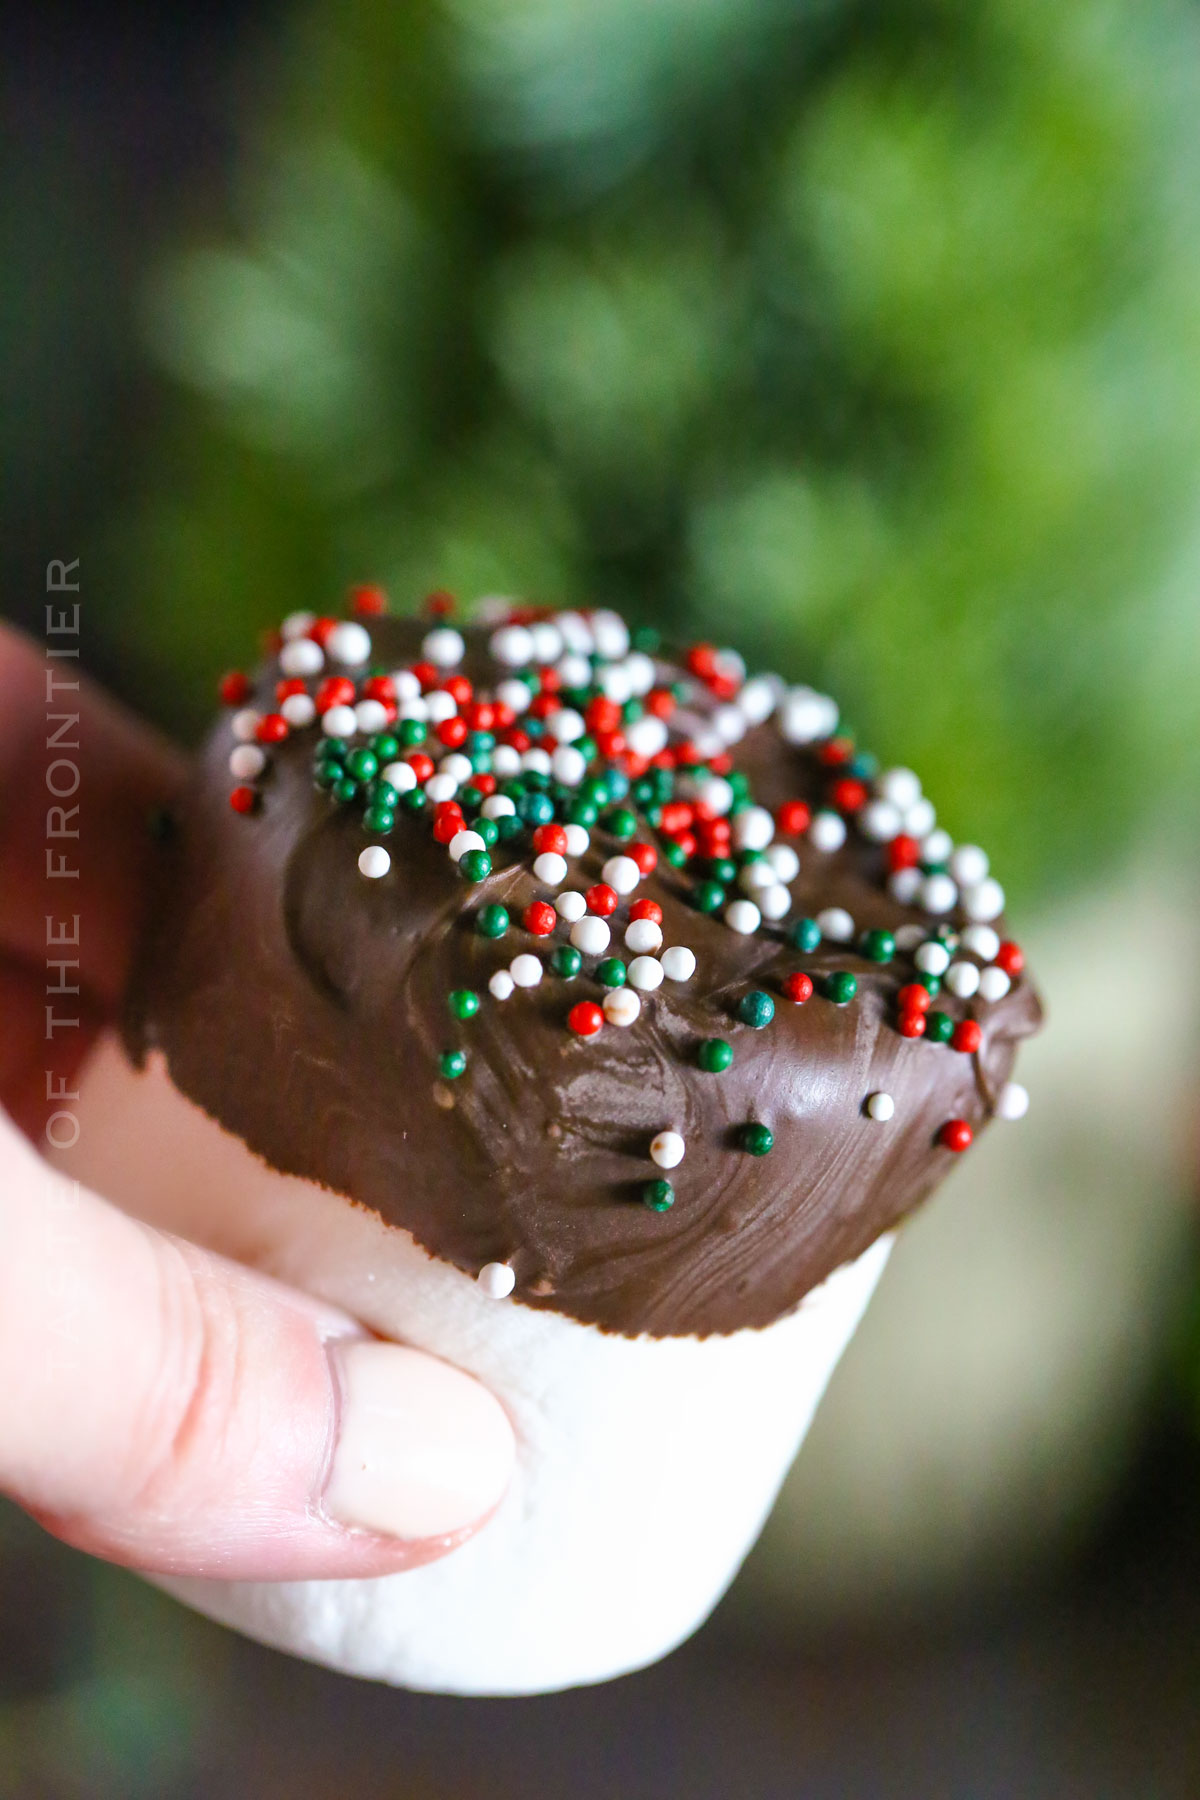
(305, 1009)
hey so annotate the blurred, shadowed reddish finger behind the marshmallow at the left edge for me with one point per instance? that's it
(123, 771)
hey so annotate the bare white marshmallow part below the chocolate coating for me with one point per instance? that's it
(645, 1466)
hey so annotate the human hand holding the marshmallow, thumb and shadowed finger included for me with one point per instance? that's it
(163, 1407)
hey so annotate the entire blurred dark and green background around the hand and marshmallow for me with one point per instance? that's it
(870, 337)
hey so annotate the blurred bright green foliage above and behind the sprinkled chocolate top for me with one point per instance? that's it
(864, 336)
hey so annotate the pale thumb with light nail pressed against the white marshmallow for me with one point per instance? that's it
(174, 1412)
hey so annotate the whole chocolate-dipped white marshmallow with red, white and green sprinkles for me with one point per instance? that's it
(586, 1014)
